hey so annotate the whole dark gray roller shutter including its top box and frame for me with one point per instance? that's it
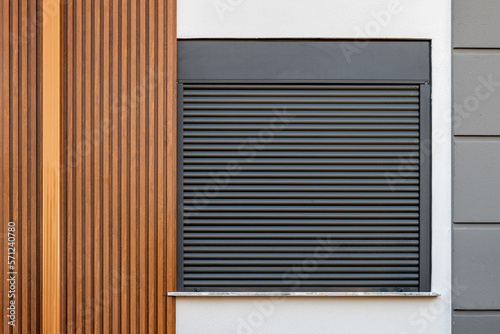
(301, 169)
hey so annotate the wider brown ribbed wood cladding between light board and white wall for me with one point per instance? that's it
(114, 177)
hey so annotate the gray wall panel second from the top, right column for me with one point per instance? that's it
(476, 87)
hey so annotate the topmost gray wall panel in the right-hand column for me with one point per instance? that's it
(476, 23)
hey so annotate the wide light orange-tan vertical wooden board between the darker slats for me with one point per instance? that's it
(51, 169)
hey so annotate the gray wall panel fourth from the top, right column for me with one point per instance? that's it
(476, 267)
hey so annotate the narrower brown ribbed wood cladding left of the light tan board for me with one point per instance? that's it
(20, 158)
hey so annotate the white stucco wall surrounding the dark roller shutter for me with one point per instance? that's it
(408, 19)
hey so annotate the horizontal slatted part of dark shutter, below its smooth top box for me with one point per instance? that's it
(299, 187)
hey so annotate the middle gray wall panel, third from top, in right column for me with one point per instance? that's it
(477, 180)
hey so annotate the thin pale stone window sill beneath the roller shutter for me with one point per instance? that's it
(303, 294)
